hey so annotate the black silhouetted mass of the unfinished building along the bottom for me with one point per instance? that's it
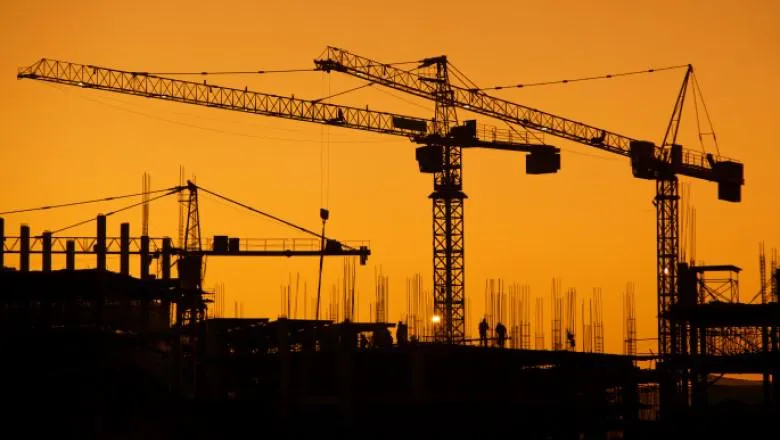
(94, 354)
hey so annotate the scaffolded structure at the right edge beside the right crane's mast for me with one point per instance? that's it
(721, 335)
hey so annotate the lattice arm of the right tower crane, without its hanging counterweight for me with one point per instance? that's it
(415, 82)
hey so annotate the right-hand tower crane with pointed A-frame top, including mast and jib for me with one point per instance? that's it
(662, 163)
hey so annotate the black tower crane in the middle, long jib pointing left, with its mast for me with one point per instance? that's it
(440, 154)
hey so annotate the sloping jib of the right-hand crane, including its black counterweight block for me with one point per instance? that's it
(649, 161)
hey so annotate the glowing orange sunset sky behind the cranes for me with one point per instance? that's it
(591, 224)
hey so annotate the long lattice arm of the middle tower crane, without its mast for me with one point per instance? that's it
(152, 86)
